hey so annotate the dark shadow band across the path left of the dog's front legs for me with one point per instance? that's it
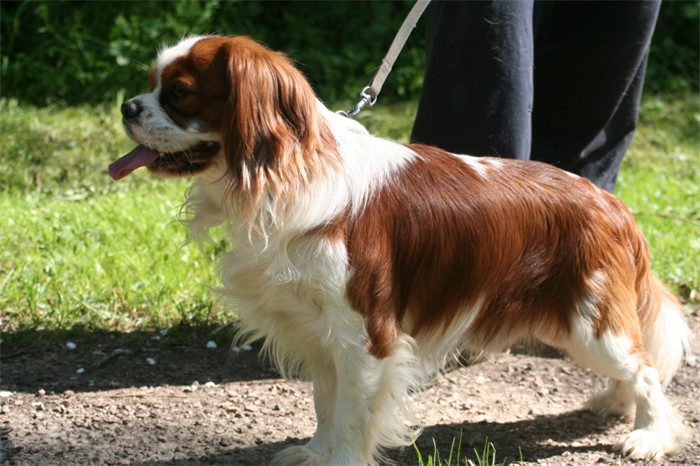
(92, 361)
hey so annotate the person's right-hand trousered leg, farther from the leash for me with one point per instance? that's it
(590, 59)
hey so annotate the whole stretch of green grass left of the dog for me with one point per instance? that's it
(82, 251)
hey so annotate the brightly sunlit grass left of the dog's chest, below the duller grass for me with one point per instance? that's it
(109, 261)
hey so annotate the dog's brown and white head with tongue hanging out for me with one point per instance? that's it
(226, 104)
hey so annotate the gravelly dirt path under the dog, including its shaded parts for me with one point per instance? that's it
(154, 400)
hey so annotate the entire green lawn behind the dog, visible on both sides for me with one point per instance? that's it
(81, 251)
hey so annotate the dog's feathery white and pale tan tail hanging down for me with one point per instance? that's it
(666, 333)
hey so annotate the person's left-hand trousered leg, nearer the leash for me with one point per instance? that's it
(477, 94)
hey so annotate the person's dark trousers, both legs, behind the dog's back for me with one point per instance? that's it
(559, 82)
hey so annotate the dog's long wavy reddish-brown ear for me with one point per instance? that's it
(271, 120)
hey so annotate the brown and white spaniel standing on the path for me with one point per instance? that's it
(366, 264)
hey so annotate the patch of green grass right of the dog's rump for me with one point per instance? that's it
(660, 183)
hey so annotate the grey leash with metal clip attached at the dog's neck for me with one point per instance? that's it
(368, 95)
